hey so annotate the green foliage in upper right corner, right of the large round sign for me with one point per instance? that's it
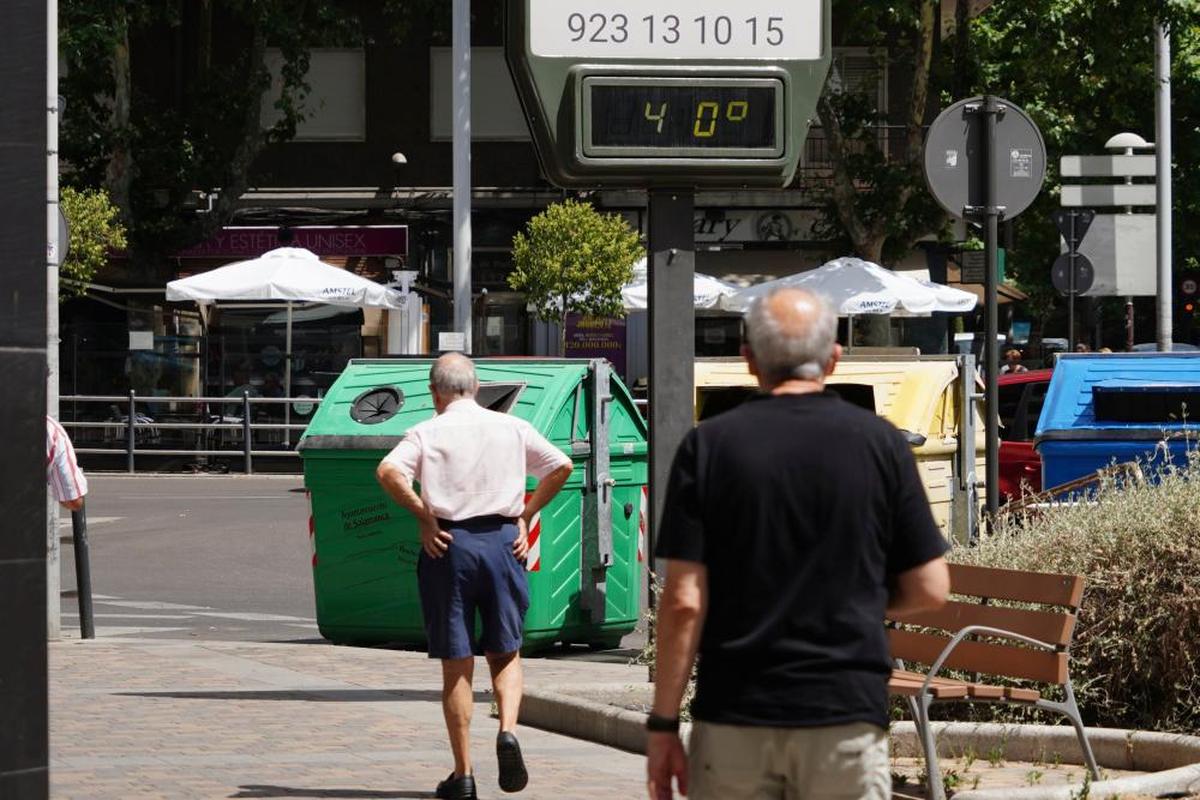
(1084, 71)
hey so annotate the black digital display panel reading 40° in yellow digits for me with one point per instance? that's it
(685, 118)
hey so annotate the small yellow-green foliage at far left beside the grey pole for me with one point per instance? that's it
(95, 230)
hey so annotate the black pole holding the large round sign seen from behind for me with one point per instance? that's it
(993, 110)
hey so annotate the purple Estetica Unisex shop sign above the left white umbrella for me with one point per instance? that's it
(328, 242)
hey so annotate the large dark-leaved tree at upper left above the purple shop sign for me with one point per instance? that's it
(193, 121)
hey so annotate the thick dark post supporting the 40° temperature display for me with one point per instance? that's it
(673, 320)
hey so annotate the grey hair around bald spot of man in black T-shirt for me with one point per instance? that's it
(785, 356)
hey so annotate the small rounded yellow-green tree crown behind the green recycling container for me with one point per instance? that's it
(573, 260)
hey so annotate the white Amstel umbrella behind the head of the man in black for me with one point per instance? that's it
(856, 287)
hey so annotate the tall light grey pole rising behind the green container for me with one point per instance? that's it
(463, 232)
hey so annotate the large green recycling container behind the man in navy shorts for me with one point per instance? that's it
(586, 558)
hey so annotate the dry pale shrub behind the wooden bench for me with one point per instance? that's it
(1136, 659)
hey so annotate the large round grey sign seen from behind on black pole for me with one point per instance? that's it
(957, 161)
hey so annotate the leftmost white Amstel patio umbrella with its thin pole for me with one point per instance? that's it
(289, 275)
